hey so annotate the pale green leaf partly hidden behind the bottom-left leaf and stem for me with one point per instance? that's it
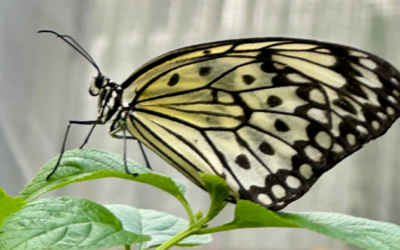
(160, 226)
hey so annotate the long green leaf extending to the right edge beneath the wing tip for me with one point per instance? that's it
(367, 234)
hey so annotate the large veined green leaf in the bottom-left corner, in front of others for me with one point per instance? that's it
(65, 223)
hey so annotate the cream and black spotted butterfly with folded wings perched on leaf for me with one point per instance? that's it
(268, 115)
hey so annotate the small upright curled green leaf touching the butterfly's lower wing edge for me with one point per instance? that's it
(218, 190)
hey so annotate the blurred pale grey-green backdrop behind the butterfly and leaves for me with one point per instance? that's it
(44, 83)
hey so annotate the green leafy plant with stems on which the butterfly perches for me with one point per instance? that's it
(76, 223)
